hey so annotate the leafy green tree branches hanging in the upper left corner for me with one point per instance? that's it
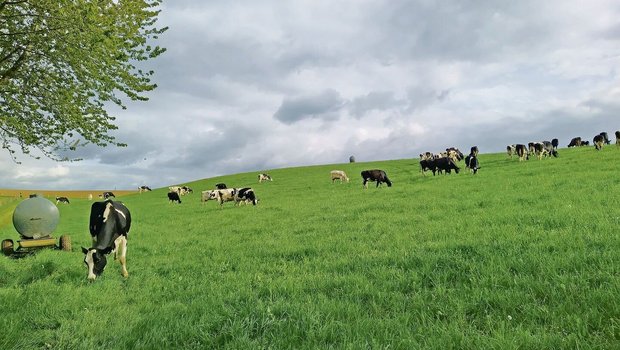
(62, 61)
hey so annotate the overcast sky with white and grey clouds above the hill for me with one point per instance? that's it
(251, 85)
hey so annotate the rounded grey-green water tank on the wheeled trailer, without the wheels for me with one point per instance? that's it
(35, 217)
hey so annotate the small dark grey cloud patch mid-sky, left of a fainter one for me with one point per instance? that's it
(324, 106)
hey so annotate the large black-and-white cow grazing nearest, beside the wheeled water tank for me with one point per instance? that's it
(109, 224)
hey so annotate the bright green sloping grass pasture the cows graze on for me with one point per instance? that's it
(523, 255)
